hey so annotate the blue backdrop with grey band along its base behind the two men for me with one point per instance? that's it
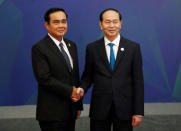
(155, 25)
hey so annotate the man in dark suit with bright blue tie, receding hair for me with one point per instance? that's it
(114, 66)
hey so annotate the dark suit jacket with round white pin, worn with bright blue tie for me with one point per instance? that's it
(122, 86)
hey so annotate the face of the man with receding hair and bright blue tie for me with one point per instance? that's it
(110, 24)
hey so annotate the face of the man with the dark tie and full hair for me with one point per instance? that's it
(57, 26)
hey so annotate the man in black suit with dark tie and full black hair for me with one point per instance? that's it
(55, 66)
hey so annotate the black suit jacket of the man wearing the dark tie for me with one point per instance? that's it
(55, 81)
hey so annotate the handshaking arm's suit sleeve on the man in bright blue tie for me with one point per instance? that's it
(86, 78)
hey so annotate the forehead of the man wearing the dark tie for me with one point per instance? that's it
(59, 15)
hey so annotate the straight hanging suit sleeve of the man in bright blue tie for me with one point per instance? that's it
(138, 90)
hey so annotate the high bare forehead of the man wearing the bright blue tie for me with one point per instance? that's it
(110, 15)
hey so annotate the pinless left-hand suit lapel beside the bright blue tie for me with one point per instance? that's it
(103, 53)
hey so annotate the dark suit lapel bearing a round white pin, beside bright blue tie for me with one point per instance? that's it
(121, 52)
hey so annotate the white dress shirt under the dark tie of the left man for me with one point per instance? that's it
(64, 46)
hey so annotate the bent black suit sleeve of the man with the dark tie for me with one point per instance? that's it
(43, 75)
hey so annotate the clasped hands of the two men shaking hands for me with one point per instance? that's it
(77, 94)
